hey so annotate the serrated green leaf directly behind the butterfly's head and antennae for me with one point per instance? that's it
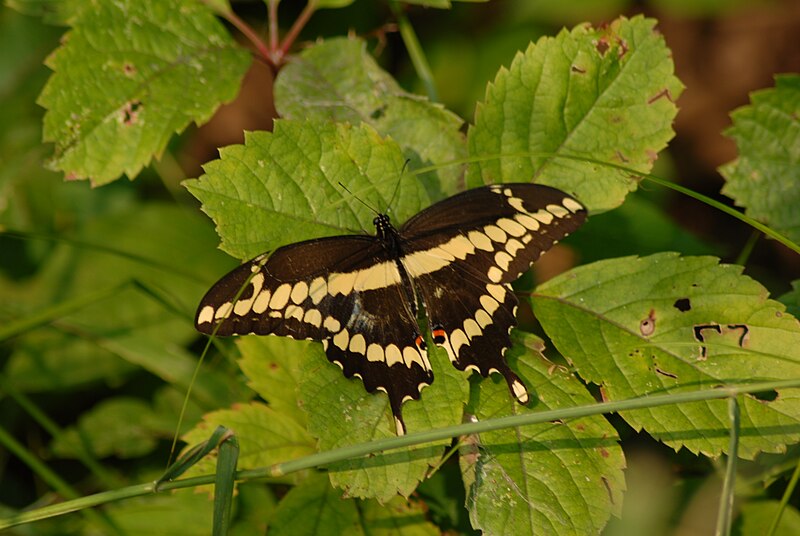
(283, 187)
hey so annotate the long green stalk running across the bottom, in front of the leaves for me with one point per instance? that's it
(332, 456)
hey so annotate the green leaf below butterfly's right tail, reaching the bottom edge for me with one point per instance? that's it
(555, 478)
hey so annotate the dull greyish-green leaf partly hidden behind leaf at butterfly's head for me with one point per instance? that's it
(338, 80)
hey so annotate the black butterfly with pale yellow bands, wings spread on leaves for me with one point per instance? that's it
(360, 295)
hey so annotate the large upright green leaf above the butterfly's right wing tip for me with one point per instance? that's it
(605, 94)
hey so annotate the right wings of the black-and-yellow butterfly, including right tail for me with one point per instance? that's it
(464, 252)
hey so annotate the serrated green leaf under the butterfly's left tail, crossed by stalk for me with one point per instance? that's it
(341, 413)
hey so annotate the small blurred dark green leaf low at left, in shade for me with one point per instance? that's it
(116, 427)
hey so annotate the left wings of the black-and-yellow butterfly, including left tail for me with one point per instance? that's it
(344, 291)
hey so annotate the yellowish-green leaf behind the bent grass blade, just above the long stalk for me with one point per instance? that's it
(265, 436)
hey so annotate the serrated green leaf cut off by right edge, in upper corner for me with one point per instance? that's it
(763, 178)
